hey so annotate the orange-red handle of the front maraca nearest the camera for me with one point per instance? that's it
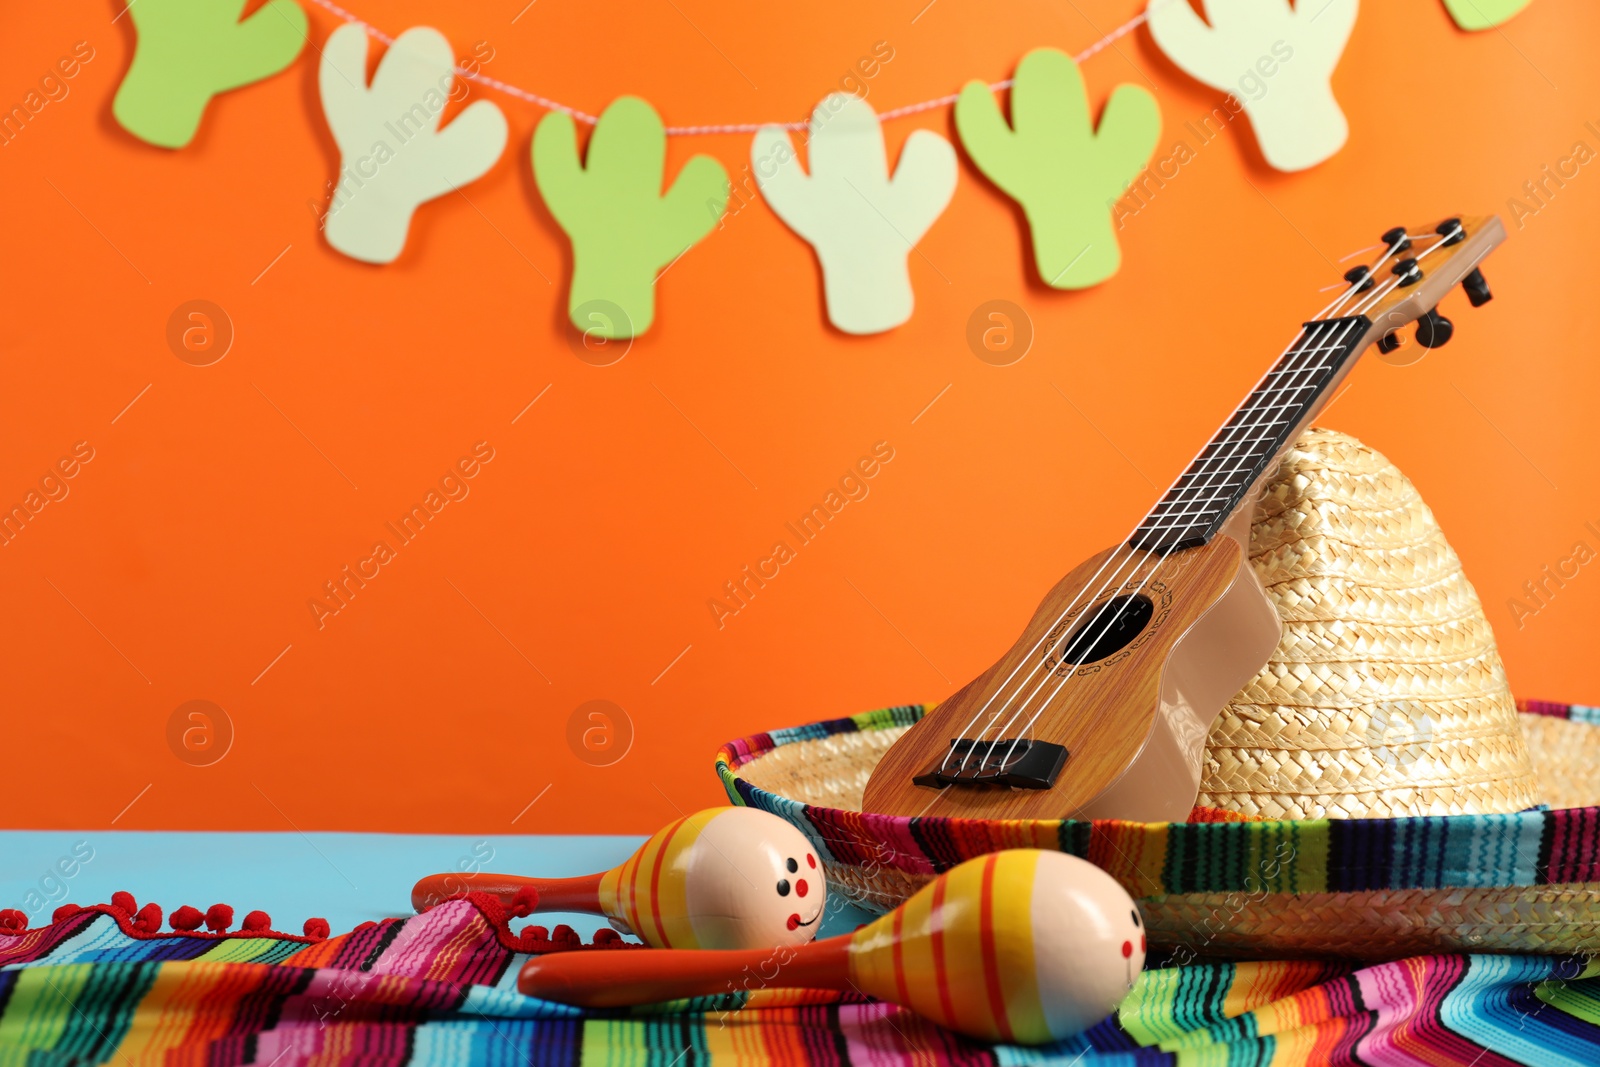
(615, 980)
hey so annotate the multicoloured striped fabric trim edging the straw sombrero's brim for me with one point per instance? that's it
(1526, 849)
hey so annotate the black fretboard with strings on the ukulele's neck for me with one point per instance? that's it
(1222, 478)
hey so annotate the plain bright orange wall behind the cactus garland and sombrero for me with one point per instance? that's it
(183, 559)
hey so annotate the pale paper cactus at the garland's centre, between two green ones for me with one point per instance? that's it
(862, 223)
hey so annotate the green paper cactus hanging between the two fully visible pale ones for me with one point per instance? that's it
(612, 207)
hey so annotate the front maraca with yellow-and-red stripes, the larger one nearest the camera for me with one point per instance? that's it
(1023, 946)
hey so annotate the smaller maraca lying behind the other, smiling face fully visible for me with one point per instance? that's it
(719, 879)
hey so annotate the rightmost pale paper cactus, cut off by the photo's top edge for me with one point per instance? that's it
(1276, 60)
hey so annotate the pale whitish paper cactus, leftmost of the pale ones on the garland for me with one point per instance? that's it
(393, 154)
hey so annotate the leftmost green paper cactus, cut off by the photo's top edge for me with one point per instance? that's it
(190, 52)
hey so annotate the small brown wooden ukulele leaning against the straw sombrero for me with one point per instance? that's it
(1102, 709)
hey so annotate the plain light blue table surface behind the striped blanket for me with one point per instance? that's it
(345, 879)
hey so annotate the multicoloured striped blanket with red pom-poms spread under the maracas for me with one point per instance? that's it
(100, 986)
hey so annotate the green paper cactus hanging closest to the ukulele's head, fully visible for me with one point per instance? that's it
(1054, 161)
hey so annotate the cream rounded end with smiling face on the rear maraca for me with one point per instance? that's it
(754, 882)
